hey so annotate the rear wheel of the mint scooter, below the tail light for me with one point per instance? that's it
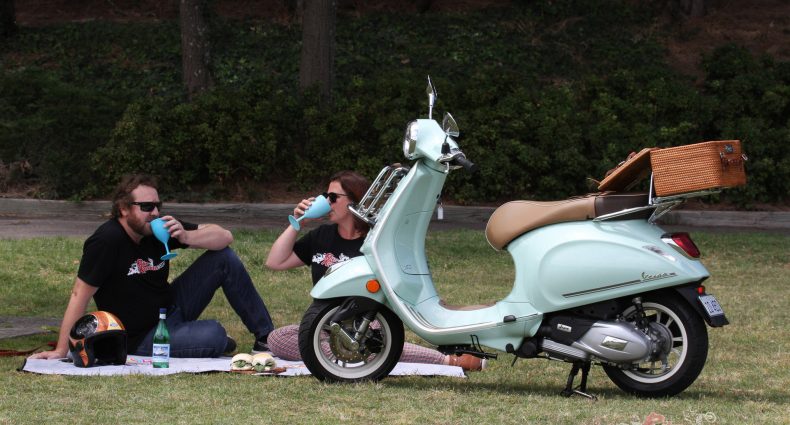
(688, 353)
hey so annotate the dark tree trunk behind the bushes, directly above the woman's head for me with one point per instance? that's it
(318, 47)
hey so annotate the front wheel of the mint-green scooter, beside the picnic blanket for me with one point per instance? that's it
(329, 355)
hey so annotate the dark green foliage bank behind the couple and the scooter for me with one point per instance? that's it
(547, 95)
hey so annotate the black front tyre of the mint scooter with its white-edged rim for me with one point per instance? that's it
(326, 362)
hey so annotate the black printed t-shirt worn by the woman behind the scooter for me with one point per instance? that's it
(322, 247)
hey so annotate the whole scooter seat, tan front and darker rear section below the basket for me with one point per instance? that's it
(515, 218)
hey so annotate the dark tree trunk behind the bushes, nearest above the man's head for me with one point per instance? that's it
(195, 50)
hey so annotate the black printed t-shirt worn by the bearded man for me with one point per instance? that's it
(131, 278)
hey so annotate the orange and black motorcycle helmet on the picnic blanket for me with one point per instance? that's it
(97, 338)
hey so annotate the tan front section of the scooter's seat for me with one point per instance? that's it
(518, 217)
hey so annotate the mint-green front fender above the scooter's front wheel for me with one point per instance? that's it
(347, 280)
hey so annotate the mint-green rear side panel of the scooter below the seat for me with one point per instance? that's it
(571, 264)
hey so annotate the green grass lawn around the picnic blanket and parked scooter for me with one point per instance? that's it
(744, 382)
